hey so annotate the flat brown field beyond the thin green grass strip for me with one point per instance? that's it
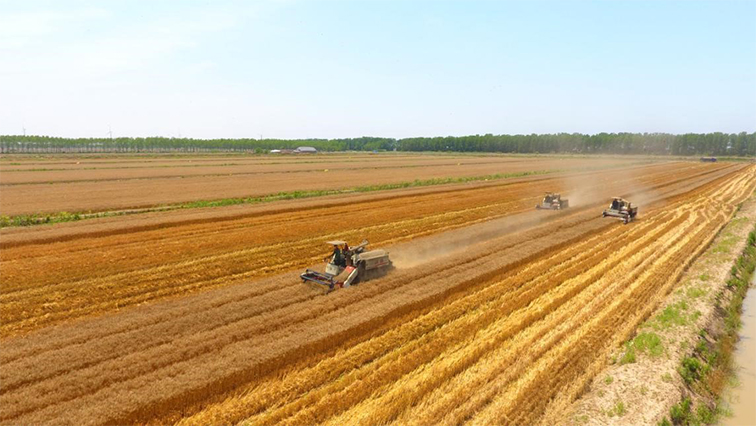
(32, 186)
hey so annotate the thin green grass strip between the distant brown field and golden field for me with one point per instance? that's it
(40, 219)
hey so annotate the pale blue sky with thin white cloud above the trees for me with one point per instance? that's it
(325, 69)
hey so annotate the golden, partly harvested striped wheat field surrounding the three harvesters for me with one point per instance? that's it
(495, 314)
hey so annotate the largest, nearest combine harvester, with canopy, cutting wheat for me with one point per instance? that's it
(349, 266)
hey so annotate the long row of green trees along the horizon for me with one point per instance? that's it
(710, 144)
